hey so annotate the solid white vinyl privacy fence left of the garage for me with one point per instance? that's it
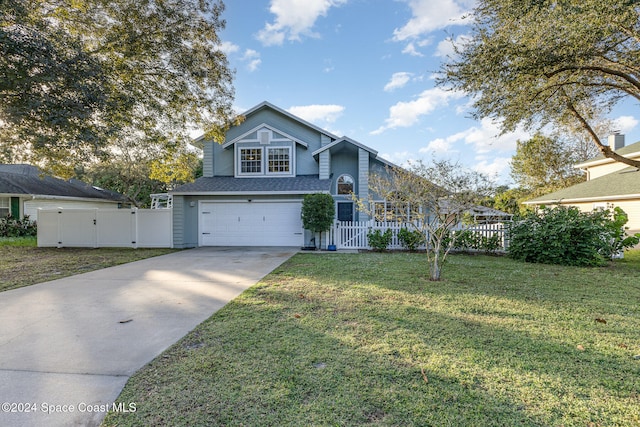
(94, 228)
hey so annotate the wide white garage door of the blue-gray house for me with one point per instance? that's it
(250, 224)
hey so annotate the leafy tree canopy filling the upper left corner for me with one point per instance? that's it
(76, 77)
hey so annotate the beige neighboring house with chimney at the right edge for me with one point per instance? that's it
(609, 184)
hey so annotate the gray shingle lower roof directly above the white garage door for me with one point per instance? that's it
(228, 185)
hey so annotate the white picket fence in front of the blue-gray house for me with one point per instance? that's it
(353, 235)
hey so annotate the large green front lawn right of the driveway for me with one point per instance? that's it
(367, 339)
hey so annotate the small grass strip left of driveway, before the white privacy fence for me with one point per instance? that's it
(24, 264)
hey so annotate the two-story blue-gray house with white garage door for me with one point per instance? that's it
(254, 182)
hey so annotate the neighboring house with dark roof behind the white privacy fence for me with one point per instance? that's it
(24, 189)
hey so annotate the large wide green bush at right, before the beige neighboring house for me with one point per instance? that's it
(565, 235)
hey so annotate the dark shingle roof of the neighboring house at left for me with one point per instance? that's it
(19, 180)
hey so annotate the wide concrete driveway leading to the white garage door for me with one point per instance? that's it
(67, 347)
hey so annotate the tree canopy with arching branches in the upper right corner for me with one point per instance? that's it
(560, 62)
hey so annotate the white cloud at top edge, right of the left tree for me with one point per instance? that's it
(294, 18)
